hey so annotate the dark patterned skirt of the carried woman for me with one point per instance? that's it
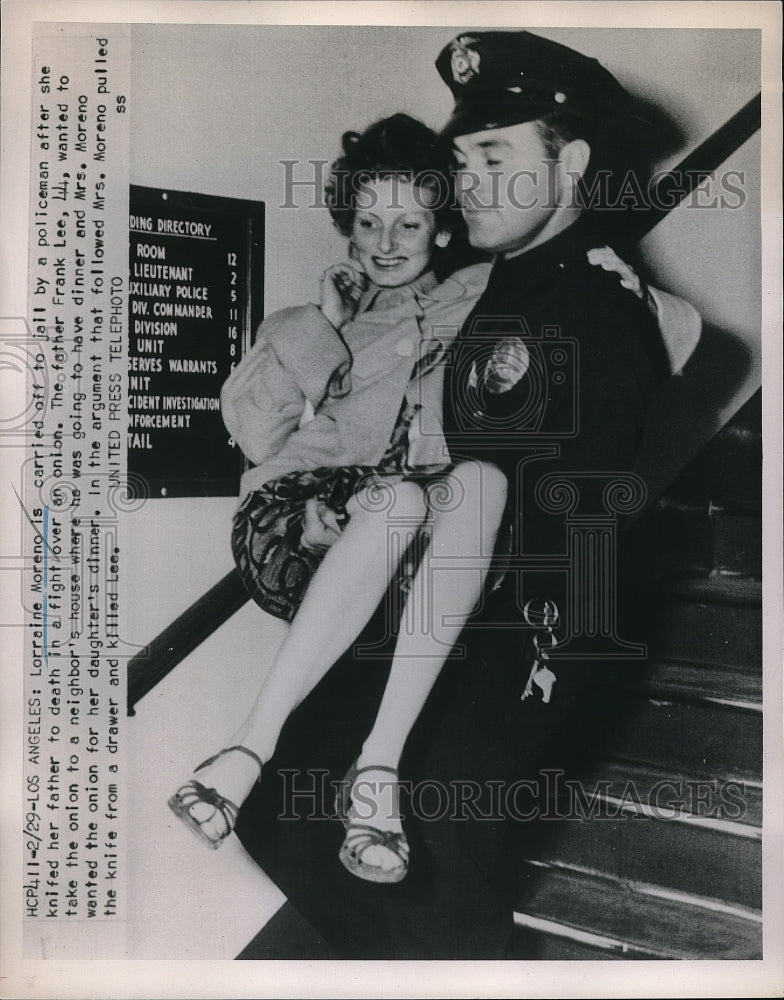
(266, 538)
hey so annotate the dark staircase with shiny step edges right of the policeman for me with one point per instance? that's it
(655, 849)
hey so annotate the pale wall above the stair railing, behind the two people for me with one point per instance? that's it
(216, 109)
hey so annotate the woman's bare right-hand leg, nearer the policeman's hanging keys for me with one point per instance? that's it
(444, 592)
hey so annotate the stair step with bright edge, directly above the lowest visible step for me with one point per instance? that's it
(683, 831)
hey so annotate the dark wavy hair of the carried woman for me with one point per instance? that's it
(399, 146)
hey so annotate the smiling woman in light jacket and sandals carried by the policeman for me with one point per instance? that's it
(333, 502)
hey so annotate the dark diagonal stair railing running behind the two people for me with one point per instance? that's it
(152, 663)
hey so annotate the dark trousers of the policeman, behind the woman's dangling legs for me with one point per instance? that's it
(474, 739)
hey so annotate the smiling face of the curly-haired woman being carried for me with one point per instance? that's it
(394, 232)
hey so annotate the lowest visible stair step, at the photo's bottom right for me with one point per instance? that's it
(620, 916)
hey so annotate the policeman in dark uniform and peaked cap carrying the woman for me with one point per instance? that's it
(551, 377)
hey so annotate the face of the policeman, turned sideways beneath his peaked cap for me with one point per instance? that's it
(507, 189)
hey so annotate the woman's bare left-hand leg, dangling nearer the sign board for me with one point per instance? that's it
(341, 598)
